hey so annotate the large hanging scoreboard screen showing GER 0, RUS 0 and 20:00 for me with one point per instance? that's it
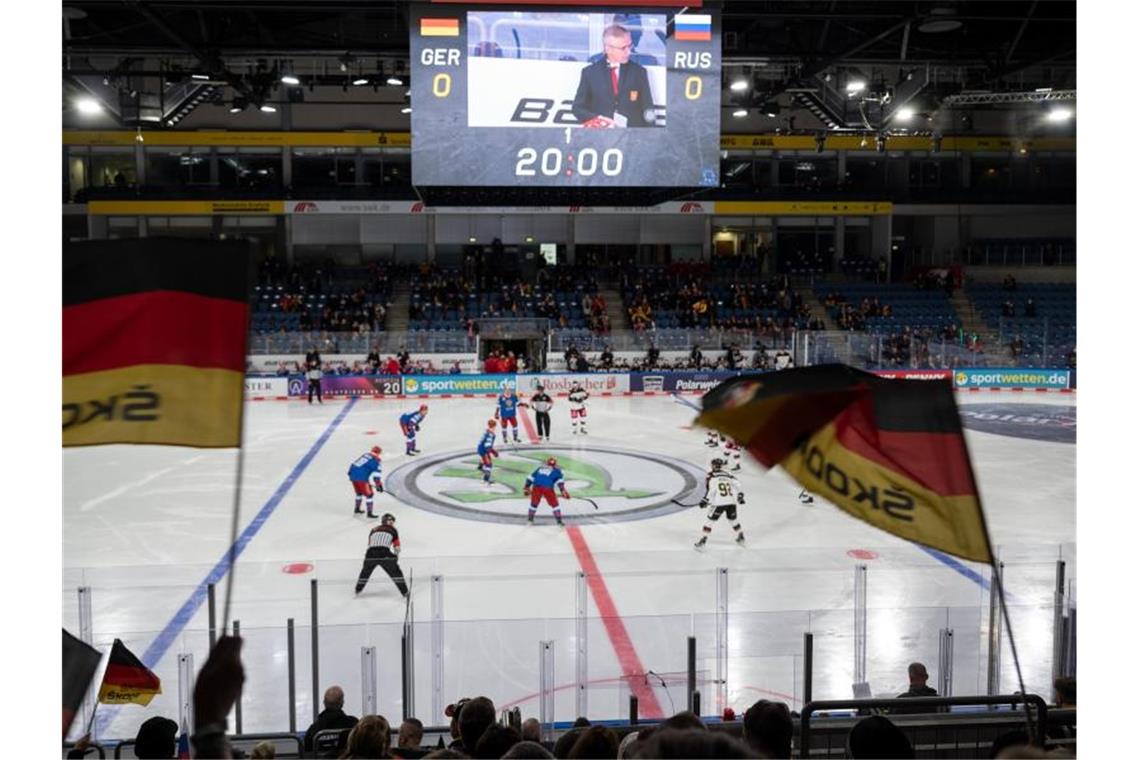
(565, 99)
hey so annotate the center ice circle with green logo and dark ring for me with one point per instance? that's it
(625, 485)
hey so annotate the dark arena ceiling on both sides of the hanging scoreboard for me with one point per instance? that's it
(797, 54)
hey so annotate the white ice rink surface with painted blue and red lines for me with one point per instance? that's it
(145, 528)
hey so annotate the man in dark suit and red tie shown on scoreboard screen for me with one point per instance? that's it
(615, 92)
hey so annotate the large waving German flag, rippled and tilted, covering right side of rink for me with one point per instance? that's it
(889, 452)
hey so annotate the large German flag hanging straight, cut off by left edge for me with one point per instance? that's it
(154, 336)
